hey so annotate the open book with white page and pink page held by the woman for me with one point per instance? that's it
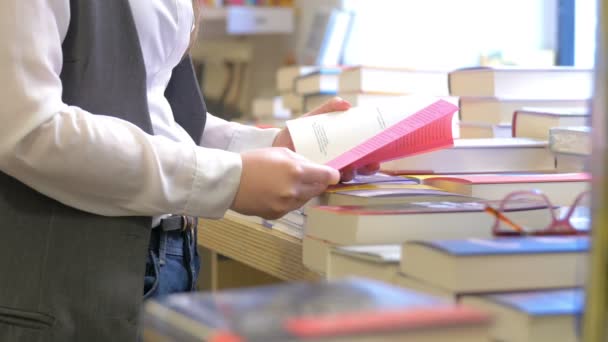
(364, 135)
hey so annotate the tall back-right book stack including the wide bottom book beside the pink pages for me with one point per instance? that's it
(505, 118)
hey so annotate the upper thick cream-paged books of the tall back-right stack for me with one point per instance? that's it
(490, 96)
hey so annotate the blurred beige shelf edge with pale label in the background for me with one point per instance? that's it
(246, 20)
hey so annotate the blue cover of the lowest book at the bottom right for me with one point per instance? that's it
(543, 303)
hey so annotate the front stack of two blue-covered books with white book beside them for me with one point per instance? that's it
(531, 285)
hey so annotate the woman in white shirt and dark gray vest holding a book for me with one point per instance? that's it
(104, 136)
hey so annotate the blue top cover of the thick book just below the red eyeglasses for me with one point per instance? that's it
(512, 245)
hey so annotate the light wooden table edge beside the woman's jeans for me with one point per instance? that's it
(273, 255)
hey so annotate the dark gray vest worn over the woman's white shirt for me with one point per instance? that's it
(67, 275)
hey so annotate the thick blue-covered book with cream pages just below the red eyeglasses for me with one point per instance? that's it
(497, 264)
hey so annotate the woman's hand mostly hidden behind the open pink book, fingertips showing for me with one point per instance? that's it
(336, 104)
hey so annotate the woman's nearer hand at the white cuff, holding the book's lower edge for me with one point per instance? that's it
(275, 181)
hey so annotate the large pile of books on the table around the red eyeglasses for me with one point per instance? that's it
(445, 247)
